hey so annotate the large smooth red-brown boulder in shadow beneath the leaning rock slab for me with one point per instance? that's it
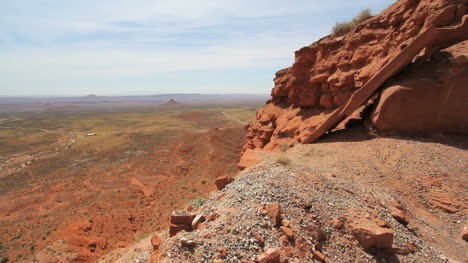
(429, 97)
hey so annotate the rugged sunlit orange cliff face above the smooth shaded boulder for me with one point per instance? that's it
(326, 73)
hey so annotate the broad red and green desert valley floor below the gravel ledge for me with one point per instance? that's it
(68, 197)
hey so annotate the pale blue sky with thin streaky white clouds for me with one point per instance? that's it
(139, 47)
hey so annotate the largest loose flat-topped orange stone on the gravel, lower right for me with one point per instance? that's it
(372, 236)
